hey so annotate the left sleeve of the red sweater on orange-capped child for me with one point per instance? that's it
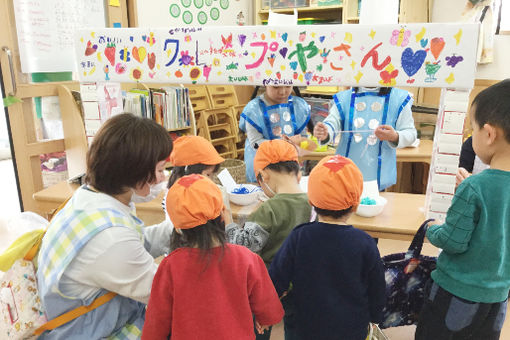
(158, 318)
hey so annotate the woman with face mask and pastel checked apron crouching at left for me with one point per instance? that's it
(96, 244)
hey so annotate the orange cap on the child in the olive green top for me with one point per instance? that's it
(273, 151)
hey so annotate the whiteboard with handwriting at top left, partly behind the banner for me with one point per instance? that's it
(46, 31)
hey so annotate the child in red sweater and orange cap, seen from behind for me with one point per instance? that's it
(206, 288)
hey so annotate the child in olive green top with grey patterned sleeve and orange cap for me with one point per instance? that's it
(266, 228)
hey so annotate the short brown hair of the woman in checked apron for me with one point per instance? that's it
(125, 152)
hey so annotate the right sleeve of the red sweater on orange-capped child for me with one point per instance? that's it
(264, 301)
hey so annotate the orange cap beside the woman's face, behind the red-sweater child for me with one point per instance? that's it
(189, 150)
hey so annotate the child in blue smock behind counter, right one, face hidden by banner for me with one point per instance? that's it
(375, 122)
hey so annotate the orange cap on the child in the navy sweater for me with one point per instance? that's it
(335, 183)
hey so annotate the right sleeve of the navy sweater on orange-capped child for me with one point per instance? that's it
(376, 286)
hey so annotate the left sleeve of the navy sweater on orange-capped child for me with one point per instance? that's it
(282, 266)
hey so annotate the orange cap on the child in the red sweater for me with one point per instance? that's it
(192, 201)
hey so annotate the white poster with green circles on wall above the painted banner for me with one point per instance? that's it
(168, 13)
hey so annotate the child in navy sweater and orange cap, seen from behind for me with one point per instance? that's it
(335, 269)
